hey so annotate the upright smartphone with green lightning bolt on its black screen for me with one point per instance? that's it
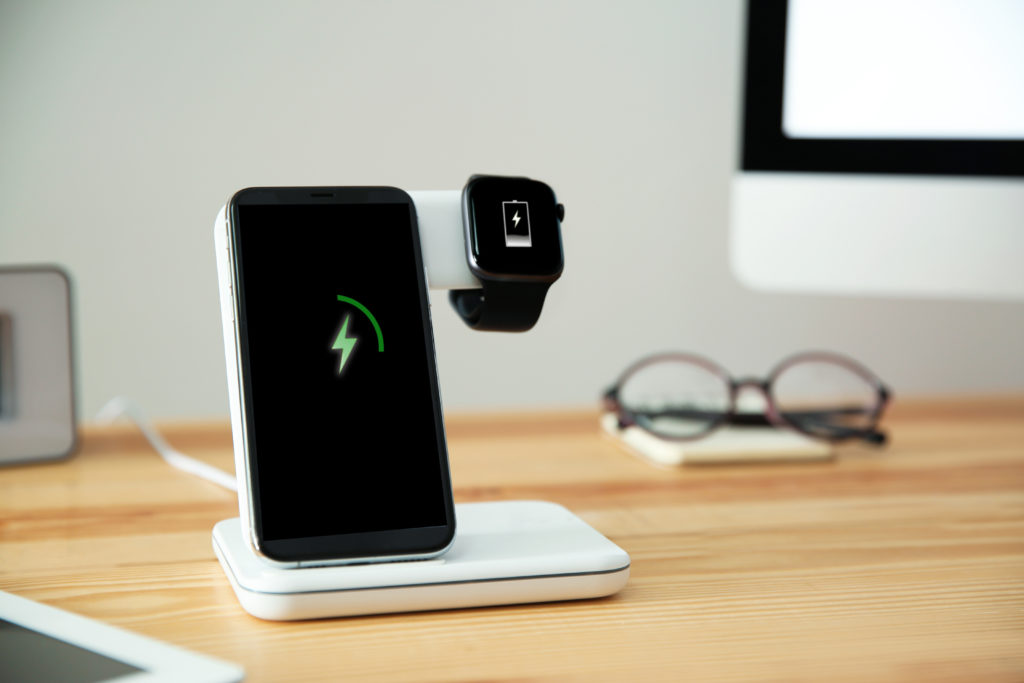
(336, 412)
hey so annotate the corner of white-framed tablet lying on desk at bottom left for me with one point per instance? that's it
(44, 644)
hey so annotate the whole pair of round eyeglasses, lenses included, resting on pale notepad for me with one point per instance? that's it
(681, 397)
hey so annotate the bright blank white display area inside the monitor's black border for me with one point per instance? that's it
(903, 69)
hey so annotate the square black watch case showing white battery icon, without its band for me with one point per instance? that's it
(514, 228)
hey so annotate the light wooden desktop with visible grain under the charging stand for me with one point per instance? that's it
(901, 565)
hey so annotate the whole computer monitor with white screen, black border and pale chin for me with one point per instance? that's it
(882, 149)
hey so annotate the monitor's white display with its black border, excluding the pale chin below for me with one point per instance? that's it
(880, 88)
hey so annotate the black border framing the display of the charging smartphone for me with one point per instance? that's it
(393, 544)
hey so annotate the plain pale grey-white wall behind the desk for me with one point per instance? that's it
(125, 125)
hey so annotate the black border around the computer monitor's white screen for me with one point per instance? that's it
(766, 148)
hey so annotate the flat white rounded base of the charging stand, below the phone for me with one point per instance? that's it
(504, 553)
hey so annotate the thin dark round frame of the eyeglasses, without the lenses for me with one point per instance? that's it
(773, 417)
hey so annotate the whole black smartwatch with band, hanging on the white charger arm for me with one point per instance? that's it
(514, 239)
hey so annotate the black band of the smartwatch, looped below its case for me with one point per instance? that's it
(501, 307)
